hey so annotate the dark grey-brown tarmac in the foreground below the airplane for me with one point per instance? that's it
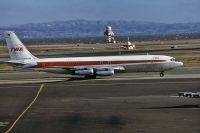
(123, 103)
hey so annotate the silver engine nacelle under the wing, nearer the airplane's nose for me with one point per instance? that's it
(104, 72)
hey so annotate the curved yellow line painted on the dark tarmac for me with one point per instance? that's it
(19, 117)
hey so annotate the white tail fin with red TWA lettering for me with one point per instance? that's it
(16, 48)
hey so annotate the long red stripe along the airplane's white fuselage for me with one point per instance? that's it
(90, 63)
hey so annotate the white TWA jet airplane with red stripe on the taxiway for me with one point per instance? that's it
(90, 67)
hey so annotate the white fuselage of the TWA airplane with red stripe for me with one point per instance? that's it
(134, 63)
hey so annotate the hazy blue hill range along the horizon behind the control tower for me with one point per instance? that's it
(84, 28)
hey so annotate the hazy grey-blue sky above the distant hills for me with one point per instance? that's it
(34, 11)
